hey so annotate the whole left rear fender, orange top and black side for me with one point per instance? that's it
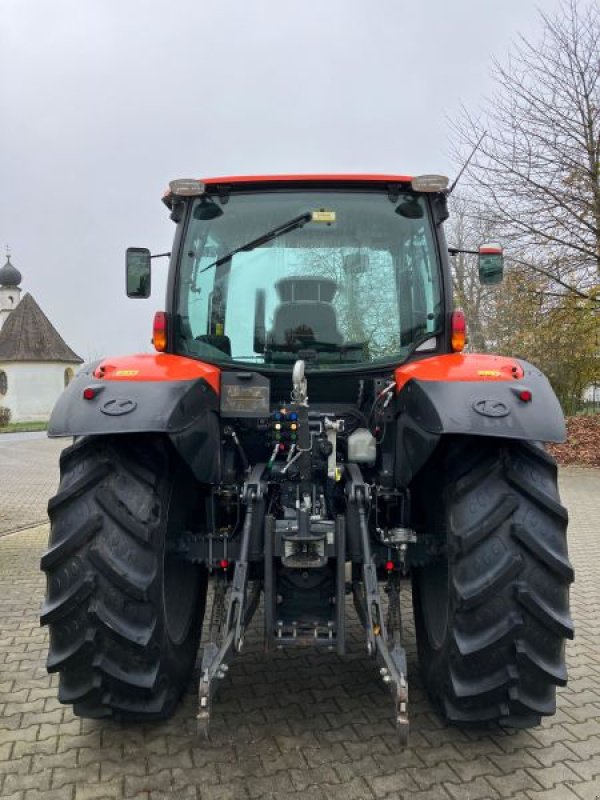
(161, 394)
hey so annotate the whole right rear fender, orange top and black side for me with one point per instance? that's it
(473, 395)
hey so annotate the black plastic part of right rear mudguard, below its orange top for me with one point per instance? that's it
(427, 410)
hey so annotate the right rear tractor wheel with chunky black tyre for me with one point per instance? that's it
(492, 617)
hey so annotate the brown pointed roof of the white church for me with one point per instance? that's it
(28, 335)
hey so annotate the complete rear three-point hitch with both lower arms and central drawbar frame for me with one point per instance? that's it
(234, 605)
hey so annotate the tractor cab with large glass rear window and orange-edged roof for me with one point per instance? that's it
(344, 273)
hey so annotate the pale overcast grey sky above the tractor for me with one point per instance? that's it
(102, 102)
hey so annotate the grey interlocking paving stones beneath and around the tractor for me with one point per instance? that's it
(302, 726)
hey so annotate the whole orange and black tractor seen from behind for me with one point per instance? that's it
(309, 429)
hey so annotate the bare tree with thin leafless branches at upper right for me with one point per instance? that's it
(538, 169)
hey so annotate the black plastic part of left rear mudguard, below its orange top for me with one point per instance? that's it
(186, 411)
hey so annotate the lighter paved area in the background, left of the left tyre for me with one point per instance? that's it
(28, 477)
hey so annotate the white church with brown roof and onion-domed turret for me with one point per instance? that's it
(35, 362)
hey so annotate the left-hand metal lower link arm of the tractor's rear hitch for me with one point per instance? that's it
(230, 614)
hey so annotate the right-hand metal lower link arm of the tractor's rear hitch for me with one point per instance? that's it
(383, 637)
